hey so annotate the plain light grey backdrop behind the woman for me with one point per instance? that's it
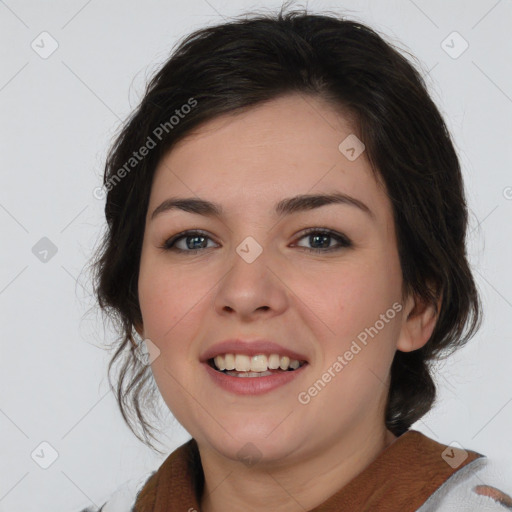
(58, 115)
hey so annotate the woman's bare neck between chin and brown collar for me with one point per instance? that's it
(285, 487)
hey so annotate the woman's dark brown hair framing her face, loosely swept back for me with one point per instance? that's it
(233, 66)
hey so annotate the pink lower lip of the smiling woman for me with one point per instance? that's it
(252, 385)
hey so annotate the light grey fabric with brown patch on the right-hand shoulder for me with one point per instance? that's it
(480, 486)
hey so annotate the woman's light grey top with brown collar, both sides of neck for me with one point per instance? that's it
(413, 474)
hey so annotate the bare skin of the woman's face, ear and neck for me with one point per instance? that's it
(315, 303)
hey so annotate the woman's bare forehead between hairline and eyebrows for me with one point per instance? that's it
(287, 146)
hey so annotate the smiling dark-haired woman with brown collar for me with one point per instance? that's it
(286, 233)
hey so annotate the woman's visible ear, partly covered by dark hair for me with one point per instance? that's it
(419, 320)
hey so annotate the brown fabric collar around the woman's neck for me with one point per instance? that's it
(402, 477)
